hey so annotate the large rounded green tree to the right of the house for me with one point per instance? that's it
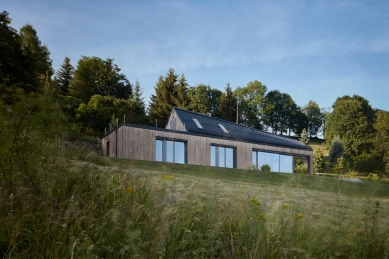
(352, 119)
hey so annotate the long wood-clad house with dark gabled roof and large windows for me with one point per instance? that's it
(197, 139)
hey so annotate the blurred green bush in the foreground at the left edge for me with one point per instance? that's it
(25, 128)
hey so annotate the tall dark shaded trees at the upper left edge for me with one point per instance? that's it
(24, 62)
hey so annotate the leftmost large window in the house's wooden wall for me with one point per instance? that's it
(172, 151)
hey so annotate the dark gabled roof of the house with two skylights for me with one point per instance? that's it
(235, 131)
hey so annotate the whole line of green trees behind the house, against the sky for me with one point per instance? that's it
(95, 96)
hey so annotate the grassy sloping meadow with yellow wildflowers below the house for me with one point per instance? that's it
(82, 205)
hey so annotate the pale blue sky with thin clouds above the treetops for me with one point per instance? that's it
(312, 50)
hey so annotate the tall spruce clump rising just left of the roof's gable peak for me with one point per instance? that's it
(170, 90)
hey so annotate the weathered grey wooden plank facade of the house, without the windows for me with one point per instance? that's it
(139, 142)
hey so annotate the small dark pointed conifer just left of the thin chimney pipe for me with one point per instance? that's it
(227, 106)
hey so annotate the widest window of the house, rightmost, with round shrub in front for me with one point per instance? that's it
(276, 162)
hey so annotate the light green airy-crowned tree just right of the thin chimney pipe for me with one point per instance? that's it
(250, 100)
